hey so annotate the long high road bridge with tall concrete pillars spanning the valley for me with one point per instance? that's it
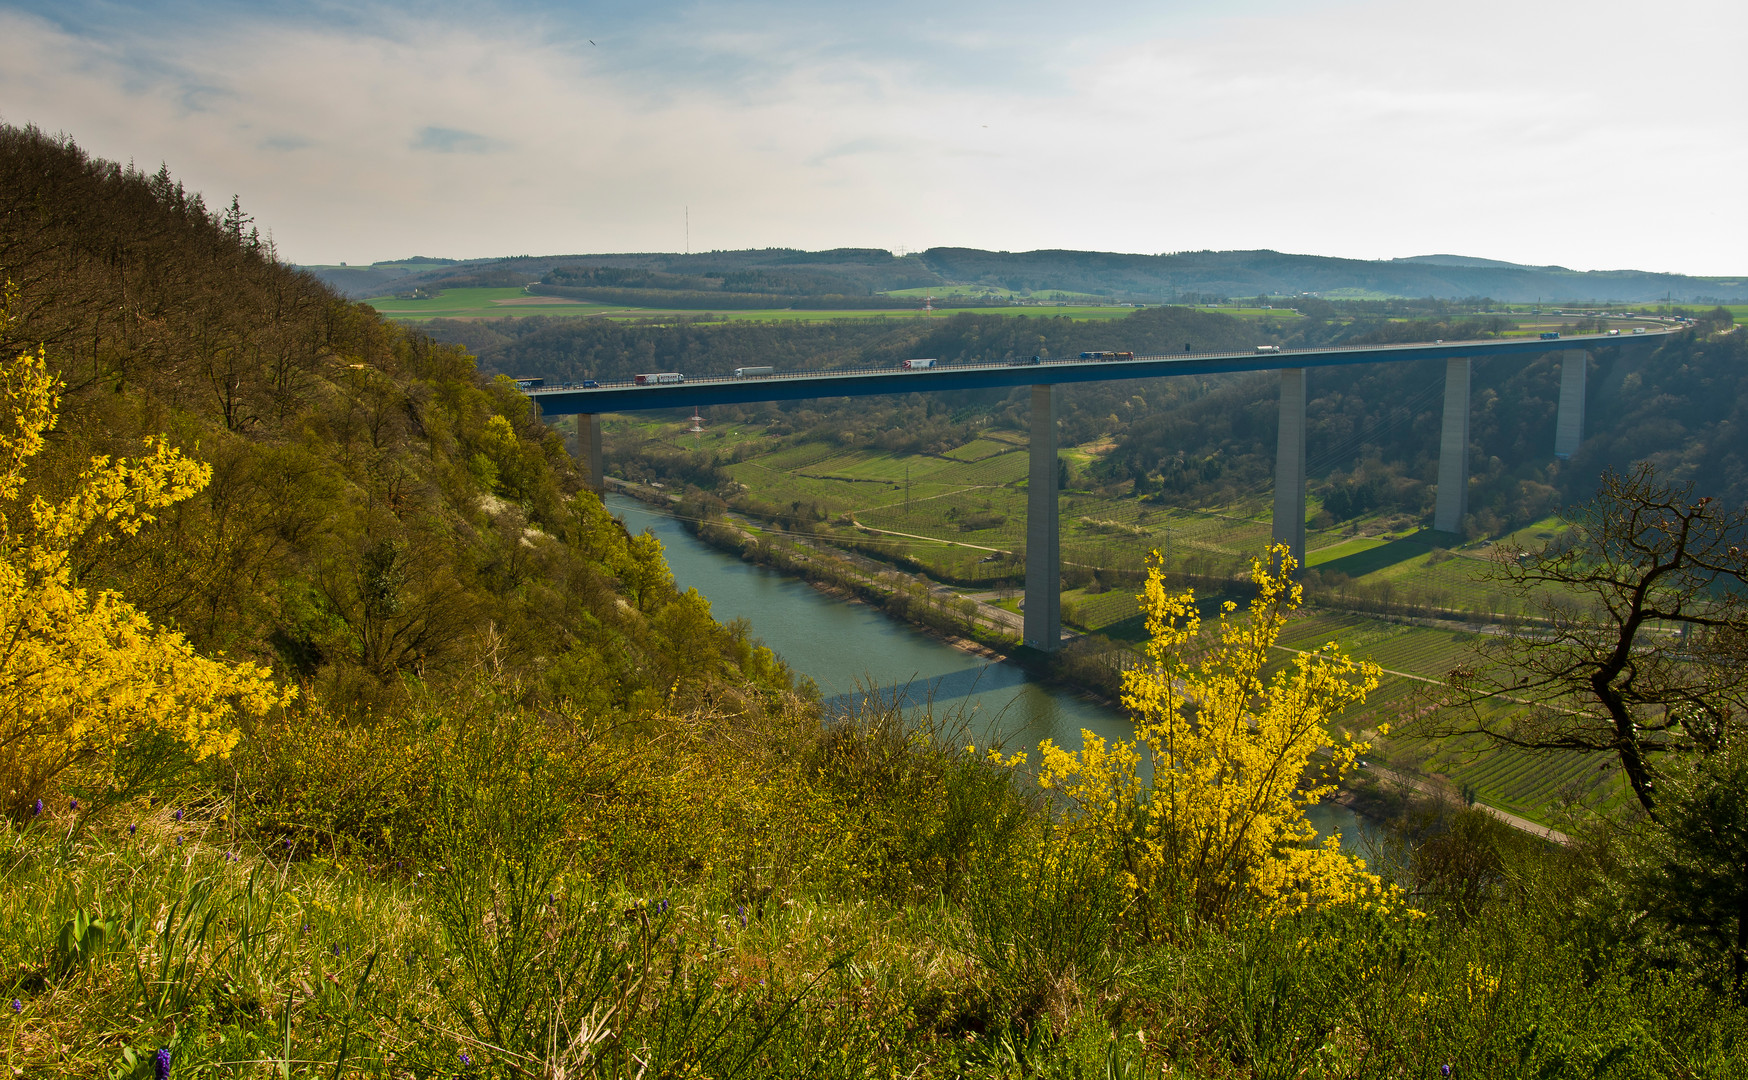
(1043, 529)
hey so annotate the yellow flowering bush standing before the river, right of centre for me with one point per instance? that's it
(1207, 807)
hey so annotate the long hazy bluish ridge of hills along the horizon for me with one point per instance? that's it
(1149, 279)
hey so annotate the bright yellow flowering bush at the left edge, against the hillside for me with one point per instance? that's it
(83, 674)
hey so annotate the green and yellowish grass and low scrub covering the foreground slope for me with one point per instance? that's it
(864, 908)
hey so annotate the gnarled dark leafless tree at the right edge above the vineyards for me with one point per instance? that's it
(1640, 649)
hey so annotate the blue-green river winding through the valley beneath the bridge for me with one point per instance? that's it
(852, 649)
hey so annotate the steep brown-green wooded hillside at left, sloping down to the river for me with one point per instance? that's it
(378, 511)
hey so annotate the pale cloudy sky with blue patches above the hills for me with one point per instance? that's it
(1593, 135)
